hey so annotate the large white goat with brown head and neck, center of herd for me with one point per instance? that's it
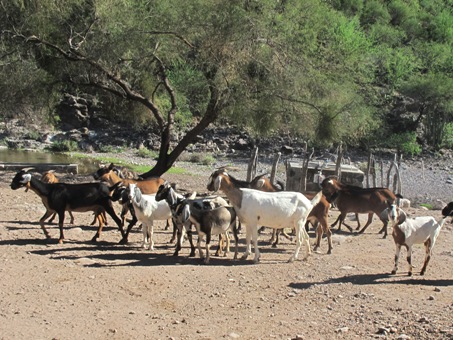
(273, 209)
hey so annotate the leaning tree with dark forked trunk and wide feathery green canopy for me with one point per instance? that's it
(257, 62)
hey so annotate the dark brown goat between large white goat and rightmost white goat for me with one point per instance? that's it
(357, 200)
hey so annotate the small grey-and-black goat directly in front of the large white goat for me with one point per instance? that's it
(216, 221)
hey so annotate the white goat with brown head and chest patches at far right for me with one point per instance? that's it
(410, 231)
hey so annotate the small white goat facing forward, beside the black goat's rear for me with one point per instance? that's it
(147, 210)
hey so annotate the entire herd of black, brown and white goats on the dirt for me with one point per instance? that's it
(254, 204)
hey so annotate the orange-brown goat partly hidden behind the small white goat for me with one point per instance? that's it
(146, 186)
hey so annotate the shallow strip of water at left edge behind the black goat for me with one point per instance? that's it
(86, 165)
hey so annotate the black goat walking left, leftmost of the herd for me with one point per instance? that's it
(61, 197)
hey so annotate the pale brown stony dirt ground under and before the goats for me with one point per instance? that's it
(81, 290)
